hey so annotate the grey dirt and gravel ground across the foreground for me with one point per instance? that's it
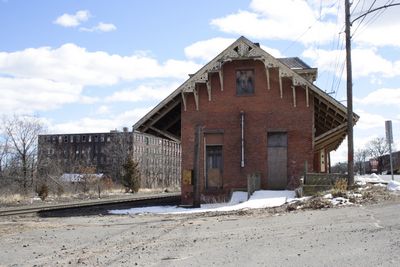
(358, 235)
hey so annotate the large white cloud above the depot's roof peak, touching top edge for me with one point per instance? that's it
(281, 20)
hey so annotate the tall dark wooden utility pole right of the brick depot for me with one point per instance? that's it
(350, 141)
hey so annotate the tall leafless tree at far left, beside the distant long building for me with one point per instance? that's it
(22, 133)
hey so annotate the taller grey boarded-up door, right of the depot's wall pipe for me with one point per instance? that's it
(277, 160)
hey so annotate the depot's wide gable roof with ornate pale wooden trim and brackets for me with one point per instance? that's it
(330, 115)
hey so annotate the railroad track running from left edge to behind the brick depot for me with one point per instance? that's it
(125, 202)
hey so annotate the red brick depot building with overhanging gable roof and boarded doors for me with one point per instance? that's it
(245, 113)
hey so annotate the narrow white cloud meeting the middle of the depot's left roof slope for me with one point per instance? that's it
(145, 92)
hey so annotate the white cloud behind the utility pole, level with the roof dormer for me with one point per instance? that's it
(365, 62)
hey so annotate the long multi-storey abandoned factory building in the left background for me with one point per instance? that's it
(159, 159)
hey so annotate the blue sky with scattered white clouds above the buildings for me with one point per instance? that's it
(97, 65)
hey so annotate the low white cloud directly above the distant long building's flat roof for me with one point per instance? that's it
(88, 124)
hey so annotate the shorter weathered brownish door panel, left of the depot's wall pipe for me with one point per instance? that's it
(214, 167)
